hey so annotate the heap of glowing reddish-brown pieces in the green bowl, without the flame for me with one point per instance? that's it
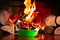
(27, 25)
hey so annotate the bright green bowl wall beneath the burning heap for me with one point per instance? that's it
(27, 33)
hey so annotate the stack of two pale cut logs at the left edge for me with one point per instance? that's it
(6, 25)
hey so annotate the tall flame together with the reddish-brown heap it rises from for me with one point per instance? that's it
(27, 22)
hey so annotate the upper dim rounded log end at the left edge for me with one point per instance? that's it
(4, 15)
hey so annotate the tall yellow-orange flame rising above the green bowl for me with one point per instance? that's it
(29, 9)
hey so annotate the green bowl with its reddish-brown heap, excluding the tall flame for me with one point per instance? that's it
(28, 29)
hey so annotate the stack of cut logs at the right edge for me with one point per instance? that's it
(52, 23)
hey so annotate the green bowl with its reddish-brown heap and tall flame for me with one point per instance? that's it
(27, 27)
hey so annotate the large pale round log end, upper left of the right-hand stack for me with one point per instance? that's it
(50, 20)
